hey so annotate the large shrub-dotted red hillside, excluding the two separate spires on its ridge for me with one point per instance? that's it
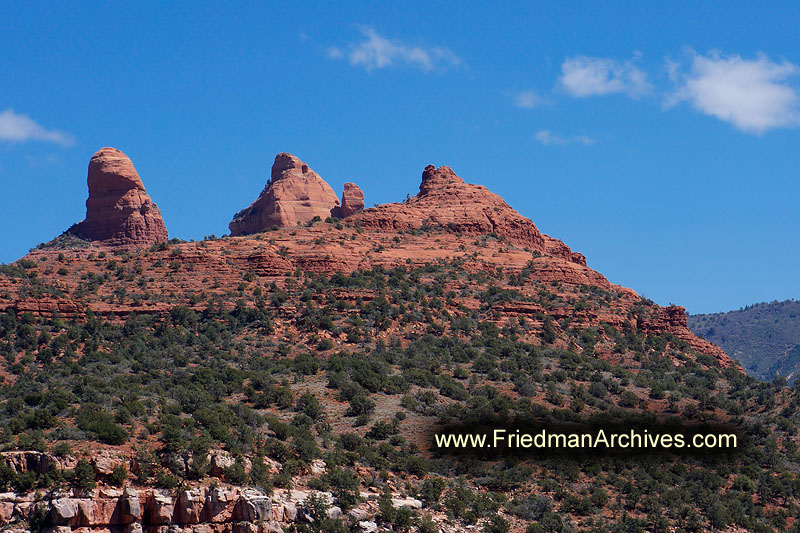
(320, 358)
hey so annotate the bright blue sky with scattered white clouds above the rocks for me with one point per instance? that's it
(660, 139)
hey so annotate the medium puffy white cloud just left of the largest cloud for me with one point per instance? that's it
(589, 76)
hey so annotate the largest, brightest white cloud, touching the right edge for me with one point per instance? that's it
(753, 95)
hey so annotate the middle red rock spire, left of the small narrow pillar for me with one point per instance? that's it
(295, 194)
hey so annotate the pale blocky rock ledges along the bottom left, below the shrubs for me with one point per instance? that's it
(197, 508)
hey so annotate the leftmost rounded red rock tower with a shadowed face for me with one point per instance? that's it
(118, 211)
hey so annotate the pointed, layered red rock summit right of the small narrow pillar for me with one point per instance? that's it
(446, 200)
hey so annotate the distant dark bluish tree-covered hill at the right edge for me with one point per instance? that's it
(764, 337)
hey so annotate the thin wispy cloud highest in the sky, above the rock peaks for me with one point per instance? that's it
(375, 51)
